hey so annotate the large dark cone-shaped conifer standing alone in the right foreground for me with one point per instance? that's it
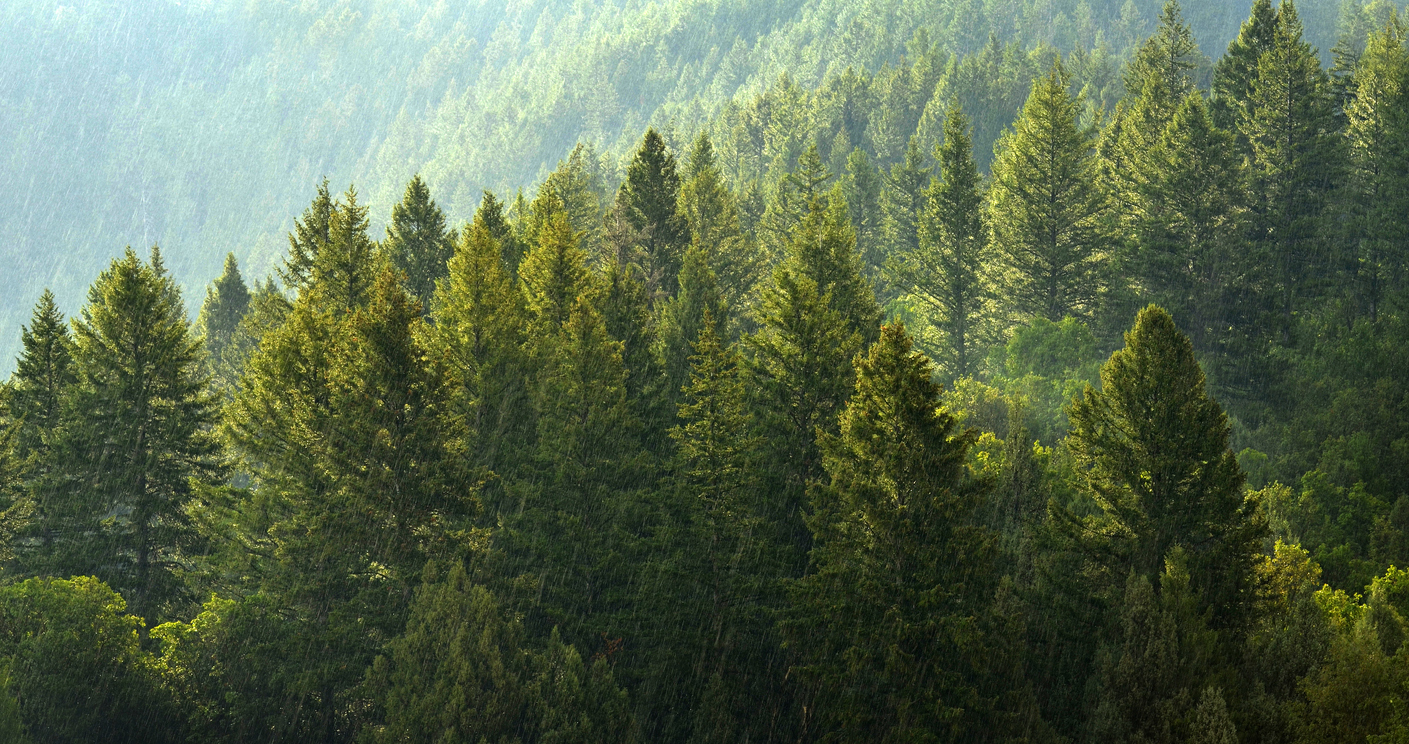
(1155, 453)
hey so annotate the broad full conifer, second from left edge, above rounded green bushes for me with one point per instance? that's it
(135, 439)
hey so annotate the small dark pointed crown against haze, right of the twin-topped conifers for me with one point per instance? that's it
(419, 243)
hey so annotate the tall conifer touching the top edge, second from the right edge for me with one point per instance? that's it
(1290, 125)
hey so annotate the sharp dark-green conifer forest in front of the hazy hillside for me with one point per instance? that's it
(869, 414)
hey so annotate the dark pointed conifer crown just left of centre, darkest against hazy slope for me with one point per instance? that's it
(649, 199)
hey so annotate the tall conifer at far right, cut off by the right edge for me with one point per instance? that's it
(1379, 187)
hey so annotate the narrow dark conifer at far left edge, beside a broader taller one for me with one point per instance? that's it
(43, 376)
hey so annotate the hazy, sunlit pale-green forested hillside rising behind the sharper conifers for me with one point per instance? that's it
(205, 125)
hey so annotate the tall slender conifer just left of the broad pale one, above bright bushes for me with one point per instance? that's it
(949, 270)
